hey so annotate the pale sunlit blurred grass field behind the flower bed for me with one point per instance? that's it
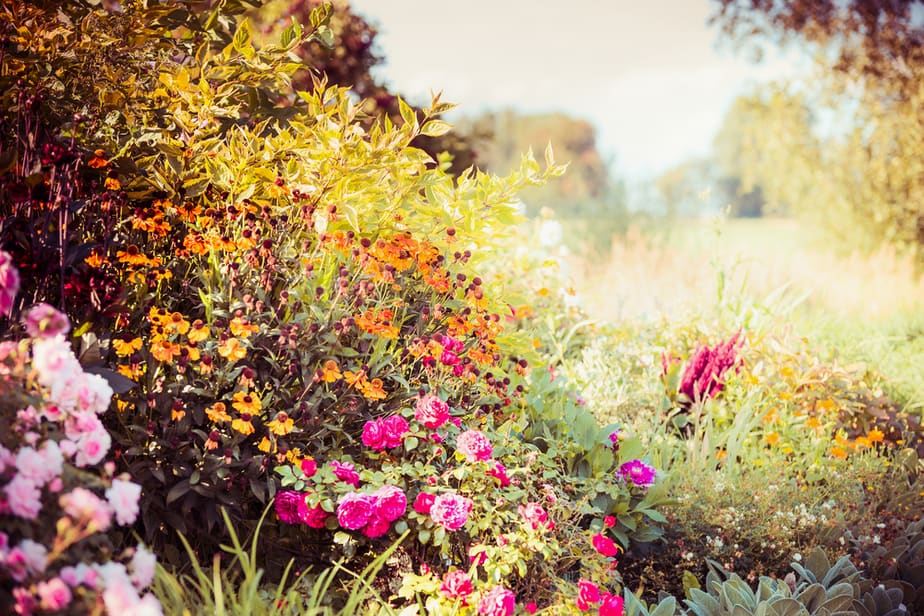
(860, 307)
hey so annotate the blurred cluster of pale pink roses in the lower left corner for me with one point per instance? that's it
(60, 427)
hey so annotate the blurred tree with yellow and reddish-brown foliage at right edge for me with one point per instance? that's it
(873, 54)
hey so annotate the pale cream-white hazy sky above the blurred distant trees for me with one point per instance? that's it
(652, 76)
